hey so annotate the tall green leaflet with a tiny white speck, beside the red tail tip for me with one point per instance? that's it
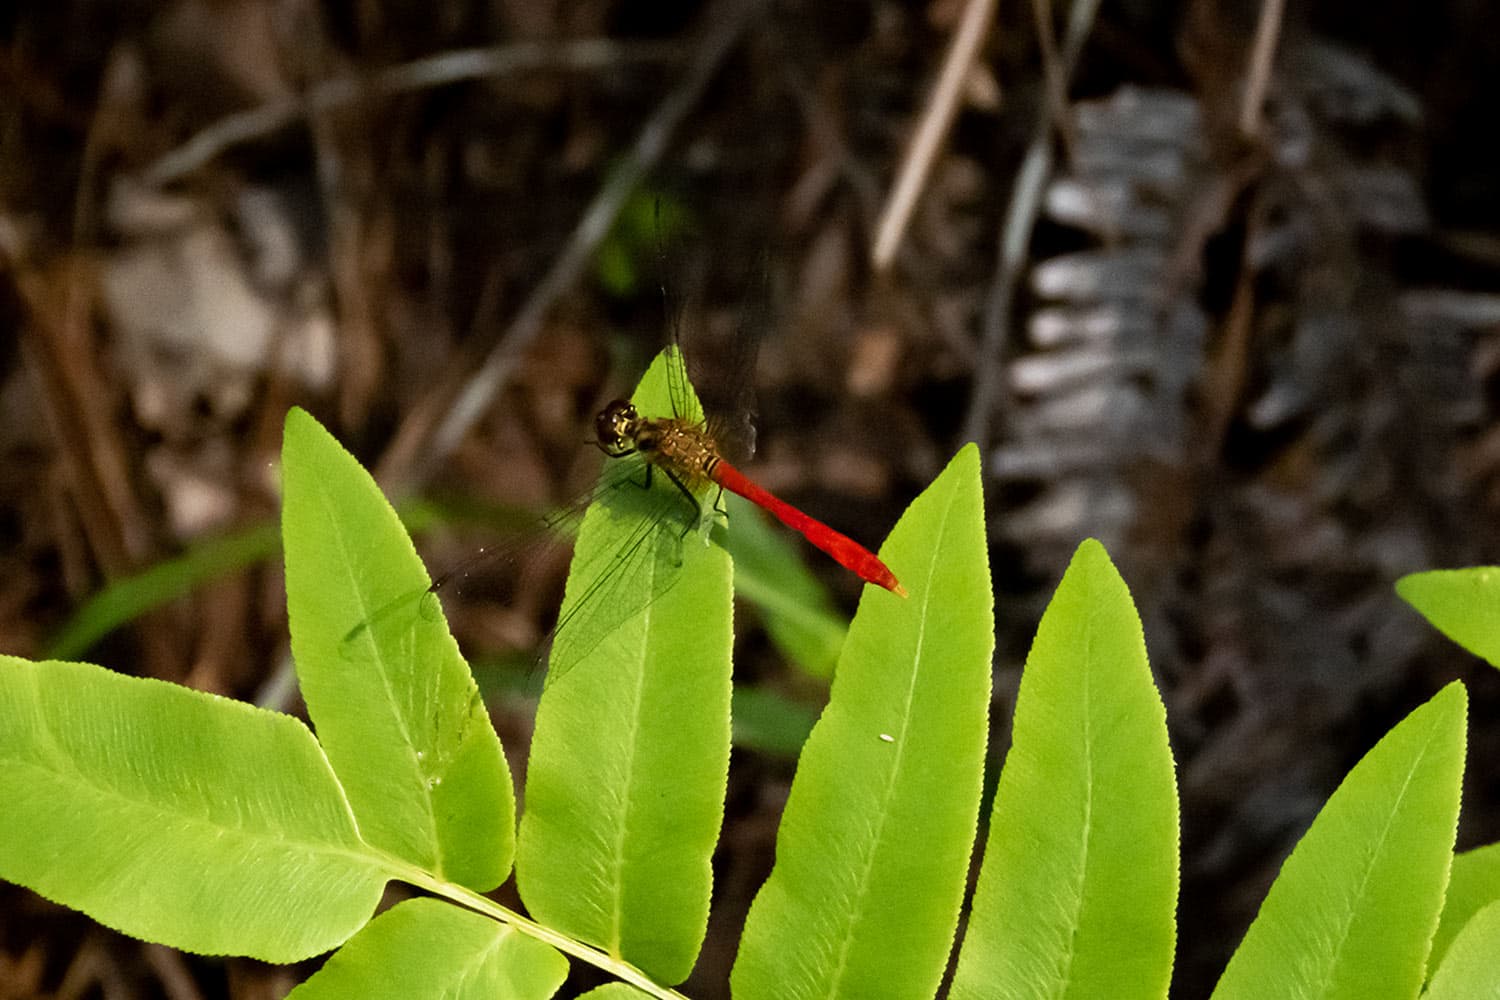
(875, 843)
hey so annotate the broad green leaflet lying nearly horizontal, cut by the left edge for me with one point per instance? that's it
(176, 816)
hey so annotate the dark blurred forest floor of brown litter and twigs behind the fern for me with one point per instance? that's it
(1213, 283)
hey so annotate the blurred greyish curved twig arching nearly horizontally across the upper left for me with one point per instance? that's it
(434, 71)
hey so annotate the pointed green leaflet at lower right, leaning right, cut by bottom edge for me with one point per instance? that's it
(1355, 906)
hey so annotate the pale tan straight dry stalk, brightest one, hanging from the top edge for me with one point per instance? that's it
(931, 133)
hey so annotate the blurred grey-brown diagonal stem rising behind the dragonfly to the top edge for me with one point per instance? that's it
(421, 448)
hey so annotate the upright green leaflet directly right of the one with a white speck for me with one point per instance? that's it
(1079, 887)
